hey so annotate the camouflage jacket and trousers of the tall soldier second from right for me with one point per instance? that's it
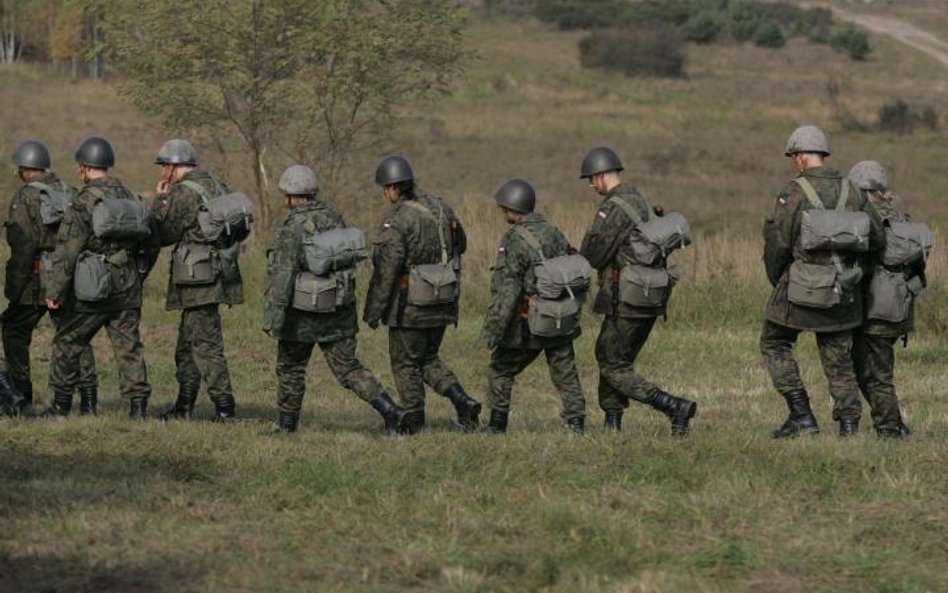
(785, 320)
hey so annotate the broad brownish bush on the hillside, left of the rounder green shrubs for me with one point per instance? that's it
(636, 51)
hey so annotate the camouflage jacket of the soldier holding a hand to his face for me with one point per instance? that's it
(176, 217)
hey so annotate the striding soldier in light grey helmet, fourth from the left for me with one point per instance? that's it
(298, 330)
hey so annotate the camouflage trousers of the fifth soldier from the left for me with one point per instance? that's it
(413, 353)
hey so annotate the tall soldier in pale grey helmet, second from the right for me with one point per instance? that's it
(787, 316)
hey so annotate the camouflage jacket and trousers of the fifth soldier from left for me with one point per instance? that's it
(409, 236)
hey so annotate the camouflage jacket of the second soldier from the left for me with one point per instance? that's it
(129, 260)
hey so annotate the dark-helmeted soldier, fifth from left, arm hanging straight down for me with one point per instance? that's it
(419, 230)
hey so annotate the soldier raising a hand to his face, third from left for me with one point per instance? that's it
(199, 353)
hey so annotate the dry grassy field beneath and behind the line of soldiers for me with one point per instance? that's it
(102, 505)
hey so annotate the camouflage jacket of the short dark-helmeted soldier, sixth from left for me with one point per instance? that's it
(513, 280)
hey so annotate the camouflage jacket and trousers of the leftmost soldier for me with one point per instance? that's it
(28, 237)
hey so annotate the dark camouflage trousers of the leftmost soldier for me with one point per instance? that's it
(19, 322)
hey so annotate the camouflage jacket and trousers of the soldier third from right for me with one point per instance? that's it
(625, 328)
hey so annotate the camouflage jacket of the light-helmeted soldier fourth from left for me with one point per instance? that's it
(284, 262)
